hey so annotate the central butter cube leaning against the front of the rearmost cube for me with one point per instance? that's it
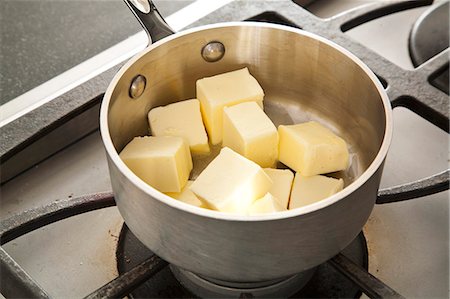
(249, 131)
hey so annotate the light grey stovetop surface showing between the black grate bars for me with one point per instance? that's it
(408, 241)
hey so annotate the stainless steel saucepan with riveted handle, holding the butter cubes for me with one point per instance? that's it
(304, 77)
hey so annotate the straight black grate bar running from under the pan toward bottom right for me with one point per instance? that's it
(369, 284)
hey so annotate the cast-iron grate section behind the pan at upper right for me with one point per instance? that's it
(402, 83)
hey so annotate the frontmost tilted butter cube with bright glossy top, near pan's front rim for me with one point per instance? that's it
(230, 183)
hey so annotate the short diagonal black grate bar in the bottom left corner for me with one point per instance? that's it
(12, 276)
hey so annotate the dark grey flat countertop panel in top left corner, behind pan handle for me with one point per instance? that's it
(41, 39)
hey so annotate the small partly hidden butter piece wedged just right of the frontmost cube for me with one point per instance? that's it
(282, 184)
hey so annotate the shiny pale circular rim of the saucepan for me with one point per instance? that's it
(365, 176)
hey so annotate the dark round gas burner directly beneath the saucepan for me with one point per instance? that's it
(172, 282)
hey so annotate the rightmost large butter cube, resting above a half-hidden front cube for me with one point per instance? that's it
(310, 148)
